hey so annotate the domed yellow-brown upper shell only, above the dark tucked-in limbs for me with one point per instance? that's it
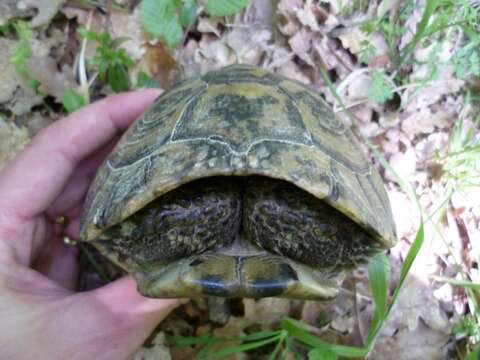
(240, 120)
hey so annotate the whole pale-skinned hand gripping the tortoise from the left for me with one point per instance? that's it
(41, 315)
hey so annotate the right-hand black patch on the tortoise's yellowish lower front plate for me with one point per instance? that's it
(274, 286)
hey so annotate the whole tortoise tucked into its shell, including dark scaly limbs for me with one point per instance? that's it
(239, 183)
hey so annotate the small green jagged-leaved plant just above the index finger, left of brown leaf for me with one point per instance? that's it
(110, 61)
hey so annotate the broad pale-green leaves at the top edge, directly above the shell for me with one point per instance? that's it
(167, 19)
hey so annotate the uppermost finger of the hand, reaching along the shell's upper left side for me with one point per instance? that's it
(38, 175)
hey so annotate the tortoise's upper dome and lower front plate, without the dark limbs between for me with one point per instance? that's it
(236, 122)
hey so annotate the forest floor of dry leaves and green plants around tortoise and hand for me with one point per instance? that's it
(404, 75)
